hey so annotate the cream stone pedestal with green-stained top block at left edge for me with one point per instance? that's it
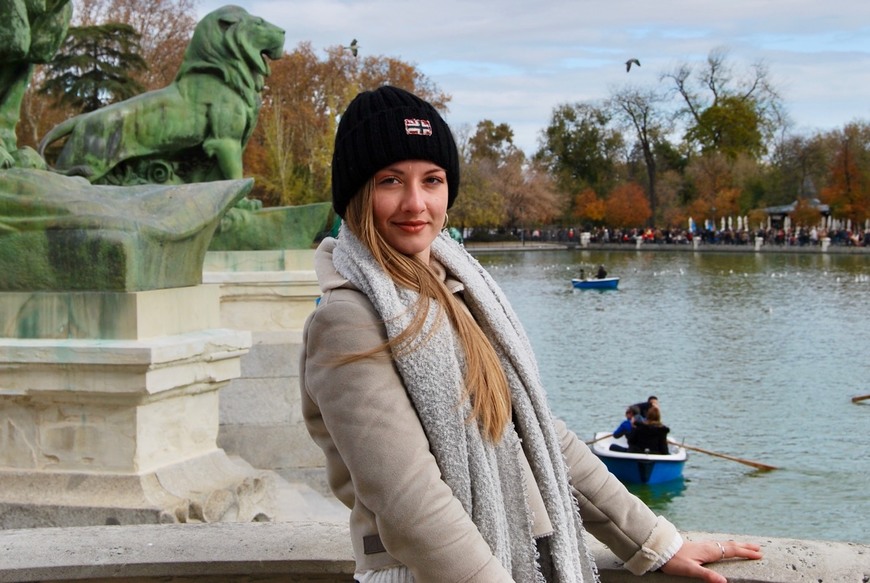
(109, 410)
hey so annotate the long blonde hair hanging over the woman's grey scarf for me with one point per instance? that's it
(485, 382)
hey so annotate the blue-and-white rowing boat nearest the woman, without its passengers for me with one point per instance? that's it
(639, 468)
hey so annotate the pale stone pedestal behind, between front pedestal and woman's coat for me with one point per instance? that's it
(270, 293)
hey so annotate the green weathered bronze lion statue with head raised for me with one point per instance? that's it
(193, 130)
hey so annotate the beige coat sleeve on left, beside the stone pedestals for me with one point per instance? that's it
(377, 452)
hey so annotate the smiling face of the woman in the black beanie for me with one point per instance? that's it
(409, 205)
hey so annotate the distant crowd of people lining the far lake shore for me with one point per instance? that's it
(779, 236)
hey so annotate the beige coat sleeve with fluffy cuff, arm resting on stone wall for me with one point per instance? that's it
(611, 513)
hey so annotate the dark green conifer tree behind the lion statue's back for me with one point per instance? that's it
(95, 67)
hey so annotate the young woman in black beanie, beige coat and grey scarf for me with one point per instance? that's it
(419, 384)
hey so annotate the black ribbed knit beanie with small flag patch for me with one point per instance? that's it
(385, 126)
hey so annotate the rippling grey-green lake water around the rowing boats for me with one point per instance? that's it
(752, 355)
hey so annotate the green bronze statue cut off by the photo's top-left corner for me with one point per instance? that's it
(30, 33)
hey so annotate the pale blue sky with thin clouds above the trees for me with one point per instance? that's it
(514, 61)
